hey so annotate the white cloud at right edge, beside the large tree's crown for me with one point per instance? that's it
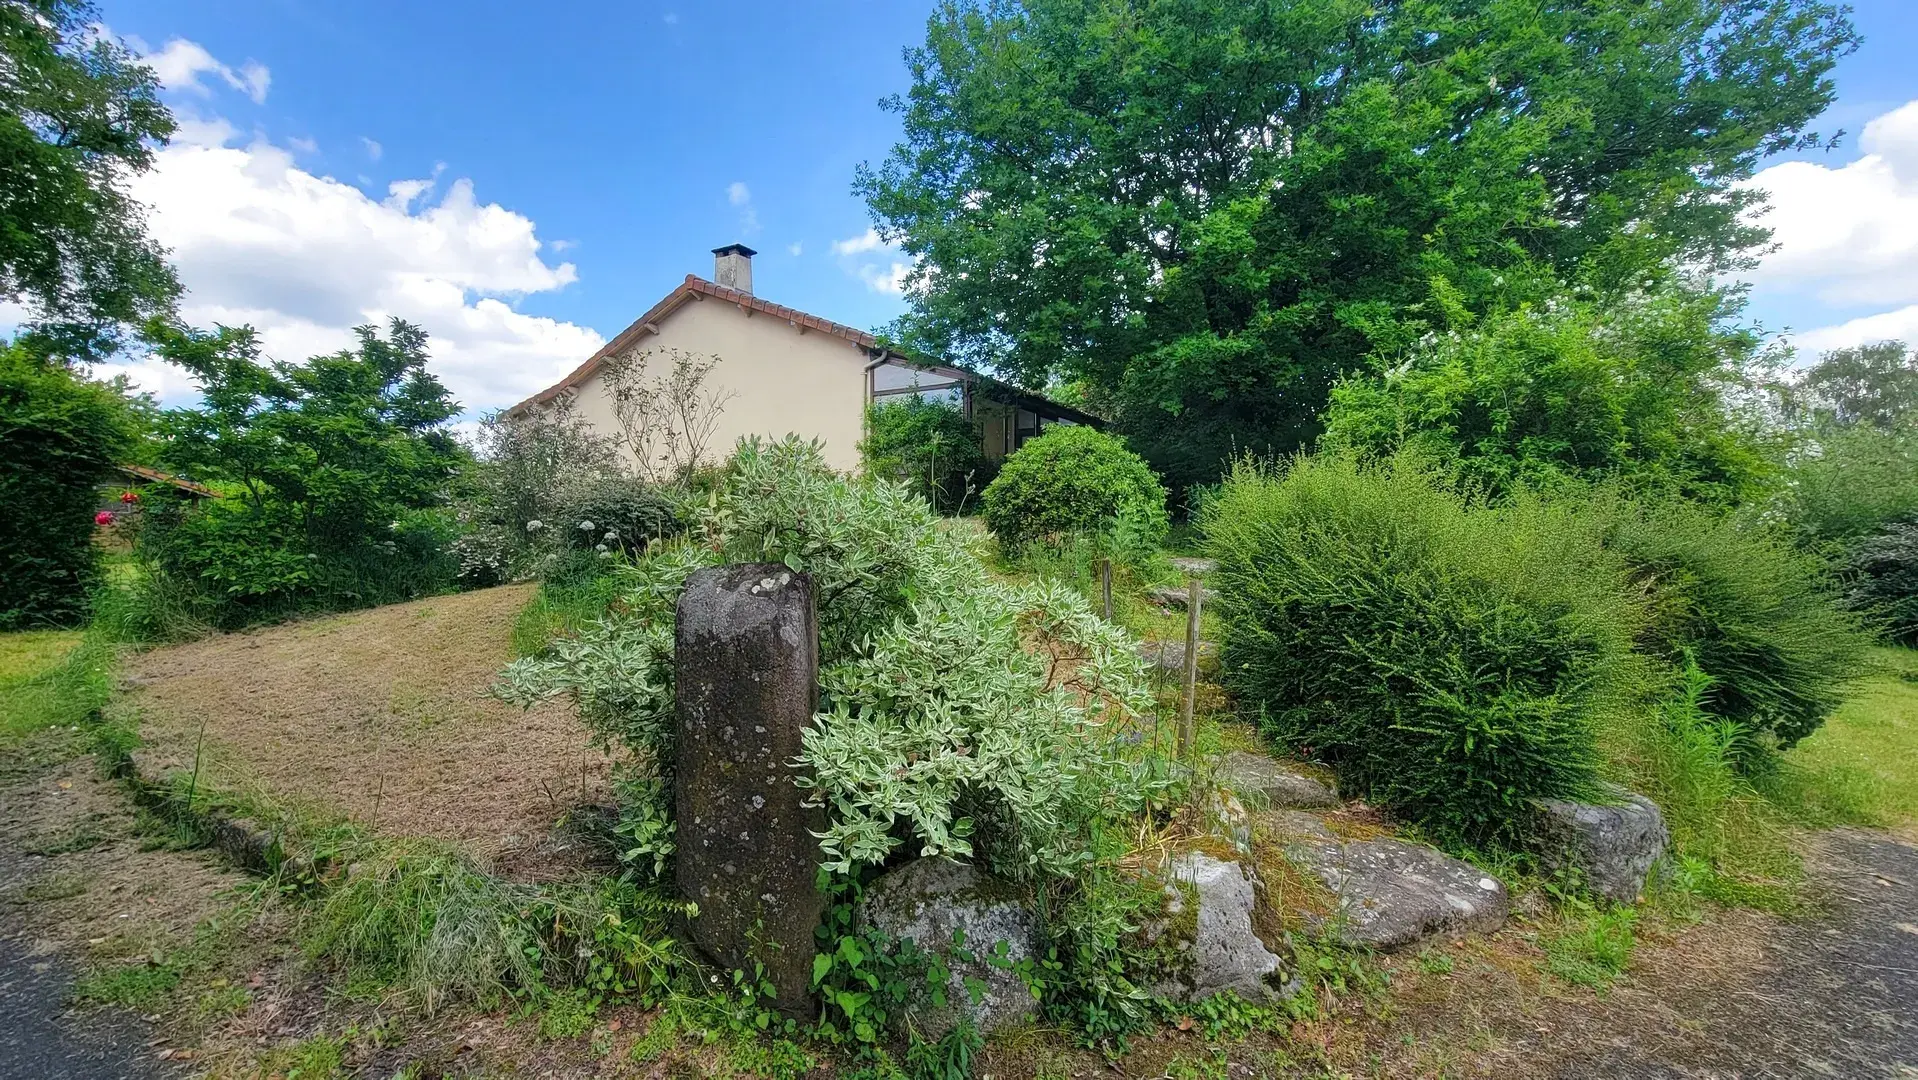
(1848, 235)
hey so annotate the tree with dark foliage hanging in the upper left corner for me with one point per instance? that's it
(78, 116)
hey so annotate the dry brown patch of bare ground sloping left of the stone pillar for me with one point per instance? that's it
(385, 718)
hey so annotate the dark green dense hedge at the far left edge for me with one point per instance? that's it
(58, 438)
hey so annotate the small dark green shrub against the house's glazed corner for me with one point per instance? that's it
(927, 446)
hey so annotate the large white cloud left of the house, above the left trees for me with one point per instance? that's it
(308, 258)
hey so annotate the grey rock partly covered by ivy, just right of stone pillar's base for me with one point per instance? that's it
(927, 901)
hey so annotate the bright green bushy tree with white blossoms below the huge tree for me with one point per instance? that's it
(1637, 390)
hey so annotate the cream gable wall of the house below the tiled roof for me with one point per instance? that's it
(782, 381)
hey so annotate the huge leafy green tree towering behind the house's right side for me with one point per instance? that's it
(1209, 210)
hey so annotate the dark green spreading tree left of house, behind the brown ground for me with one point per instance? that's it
(337, 473)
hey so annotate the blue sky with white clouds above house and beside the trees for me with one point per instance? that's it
(526, 181)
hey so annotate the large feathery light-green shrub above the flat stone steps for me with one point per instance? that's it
(1451, 661)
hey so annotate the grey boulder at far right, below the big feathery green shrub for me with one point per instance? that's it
(1612, 849)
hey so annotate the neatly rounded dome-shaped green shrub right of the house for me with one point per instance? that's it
(1071, 481)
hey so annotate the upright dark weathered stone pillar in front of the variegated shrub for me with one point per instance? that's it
(747, 678)
